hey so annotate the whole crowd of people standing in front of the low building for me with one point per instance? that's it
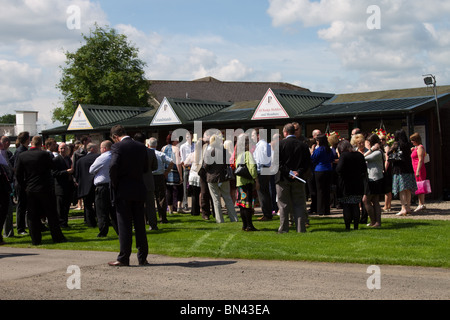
(120, 179)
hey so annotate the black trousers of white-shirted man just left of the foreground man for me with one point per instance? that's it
(106, 215)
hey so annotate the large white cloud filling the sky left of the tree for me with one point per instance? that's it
(34, 37)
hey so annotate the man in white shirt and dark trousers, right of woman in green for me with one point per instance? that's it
(262, 156)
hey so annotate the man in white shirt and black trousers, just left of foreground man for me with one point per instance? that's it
(106, 215)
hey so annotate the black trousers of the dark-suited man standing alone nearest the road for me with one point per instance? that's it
(131, 214)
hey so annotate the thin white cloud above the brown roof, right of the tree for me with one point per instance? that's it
(185, 57)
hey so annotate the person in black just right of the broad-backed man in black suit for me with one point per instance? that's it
(63, 183)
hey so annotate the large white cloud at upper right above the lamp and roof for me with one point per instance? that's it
(413, 37)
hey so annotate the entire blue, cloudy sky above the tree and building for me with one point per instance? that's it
(325, 45)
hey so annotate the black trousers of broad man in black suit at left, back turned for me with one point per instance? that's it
(40, 205)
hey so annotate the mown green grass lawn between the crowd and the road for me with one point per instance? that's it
(399, 241)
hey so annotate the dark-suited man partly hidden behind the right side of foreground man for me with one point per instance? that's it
(150, 209)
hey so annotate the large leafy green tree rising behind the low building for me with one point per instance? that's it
(106, 70)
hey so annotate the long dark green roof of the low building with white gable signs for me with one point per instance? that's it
(293, 104)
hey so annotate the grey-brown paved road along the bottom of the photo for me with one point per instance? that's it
(39, 274)
